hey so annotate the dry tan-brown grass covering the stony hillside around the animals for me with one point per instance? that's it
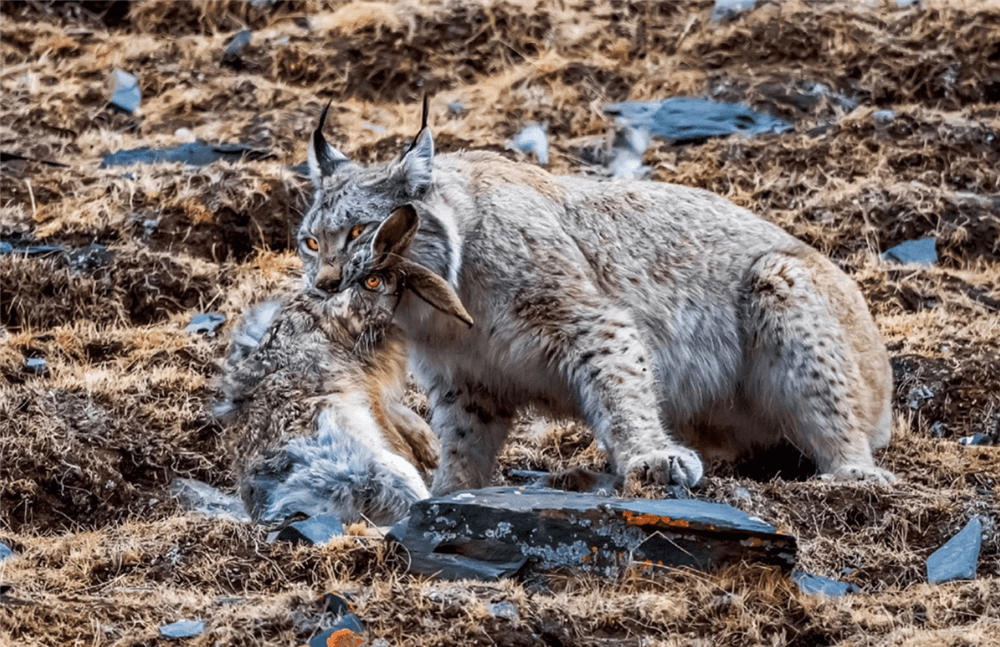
(89, 447)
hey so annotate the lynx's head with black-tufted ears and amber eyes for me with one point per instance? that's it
(350, 202)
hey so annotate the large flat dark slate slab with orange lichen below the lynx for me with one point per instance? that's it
(504, 532)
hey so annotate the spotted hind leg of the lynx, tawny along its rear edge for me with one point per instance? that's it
(805, 370)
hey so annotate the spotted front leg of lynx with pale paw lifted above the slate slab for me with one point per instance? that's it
(611, 370)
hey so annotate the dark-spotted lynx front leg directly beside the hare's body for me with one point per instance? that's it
(472, 427)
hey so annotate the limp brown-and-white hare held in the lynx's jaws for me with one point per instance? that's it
(313, 393)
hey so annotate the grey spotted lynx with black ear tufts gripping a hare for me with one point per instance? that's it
(664, 316)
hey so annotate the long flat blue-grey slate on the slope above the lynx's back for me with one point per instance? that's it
(682, 119)
